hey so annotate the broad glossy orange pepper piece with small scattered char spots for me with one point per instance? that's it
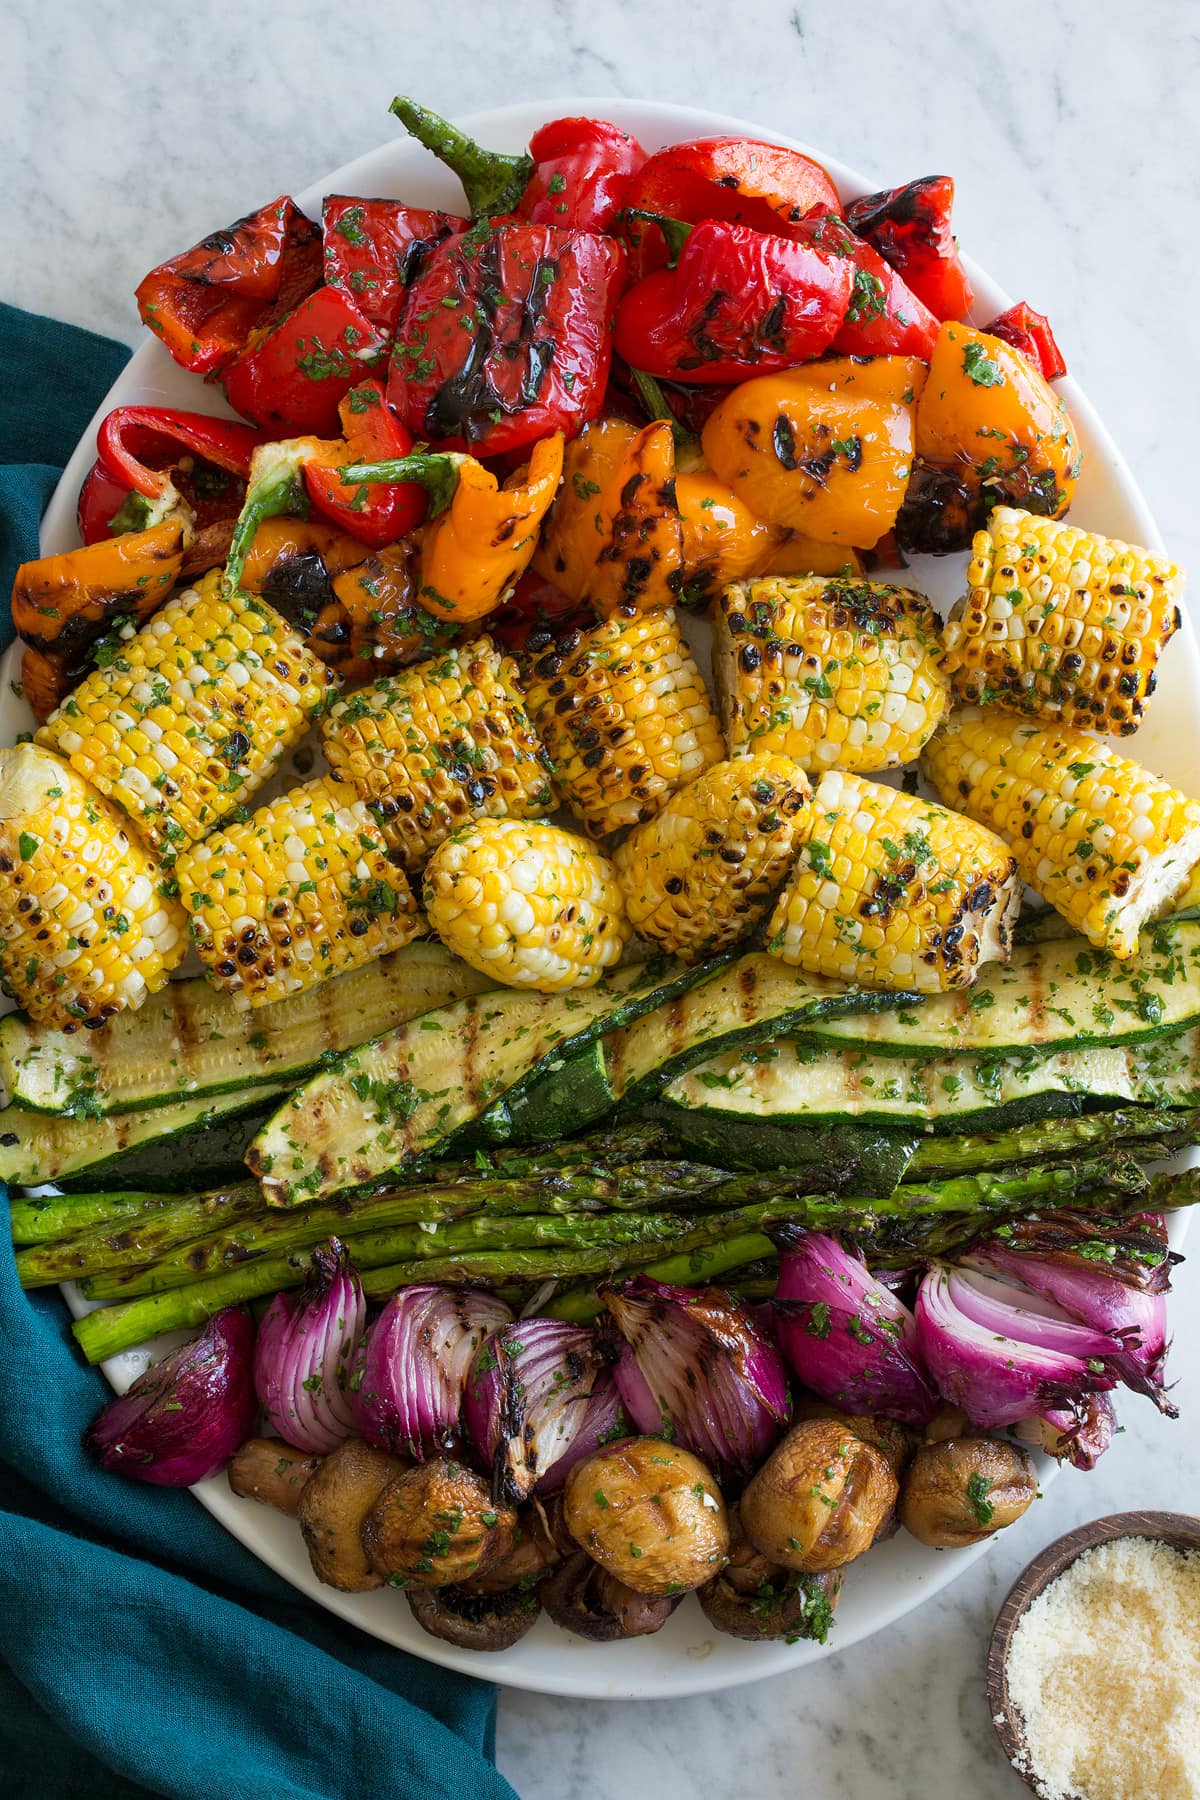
(825, 449)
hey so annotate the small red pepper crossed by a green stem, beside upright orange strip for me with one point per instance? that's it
(377, 514)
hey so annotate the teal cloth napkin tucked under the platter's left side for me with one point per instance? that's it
(143, 1651)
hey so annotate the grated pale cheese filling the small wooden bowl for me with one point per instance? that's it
(1106, 1671)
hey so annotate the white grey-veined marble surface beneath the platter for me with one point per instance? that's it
(1073, 132)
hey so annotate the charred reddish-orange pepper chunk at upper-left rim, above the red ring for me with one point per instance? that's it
(206, 301)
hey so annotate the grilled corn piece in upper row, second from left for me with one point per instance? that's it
(440, 744)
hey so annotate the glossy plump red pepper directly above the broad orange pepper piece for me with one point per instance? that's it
(737, 303)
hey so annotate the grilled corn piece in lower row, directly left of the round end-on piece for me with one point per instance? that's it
(301, 892)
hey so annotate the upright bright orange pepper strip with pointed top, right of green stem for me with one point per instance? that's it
(483, 543)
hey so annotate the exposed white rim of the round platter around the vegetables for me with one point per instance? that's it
(735, 1664)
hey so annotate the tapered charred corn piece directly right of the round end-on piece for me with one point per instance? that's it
(701, 876)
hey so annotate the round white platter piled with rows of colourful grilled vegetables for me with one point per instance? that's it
(595, 917)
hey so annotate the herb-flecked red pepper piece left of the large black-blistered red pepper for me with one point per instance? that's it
(296, 375)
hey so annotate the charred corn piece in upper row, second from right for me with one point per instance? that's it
(828, 672)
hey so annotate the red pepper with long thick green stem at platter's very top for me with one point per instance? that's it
(575, 175)
